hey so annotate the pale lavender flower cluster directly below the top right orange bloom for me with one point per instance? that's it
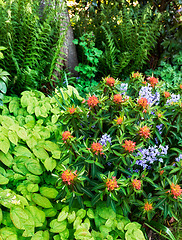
(146, 92)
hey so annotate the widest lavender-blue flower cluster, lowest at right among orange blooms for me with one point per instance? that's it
(150, 155)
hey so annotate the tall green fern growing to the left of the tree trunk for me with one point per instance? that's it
(33, 38)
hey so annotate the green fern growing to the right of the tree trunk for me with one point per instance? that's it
(128, 36)
